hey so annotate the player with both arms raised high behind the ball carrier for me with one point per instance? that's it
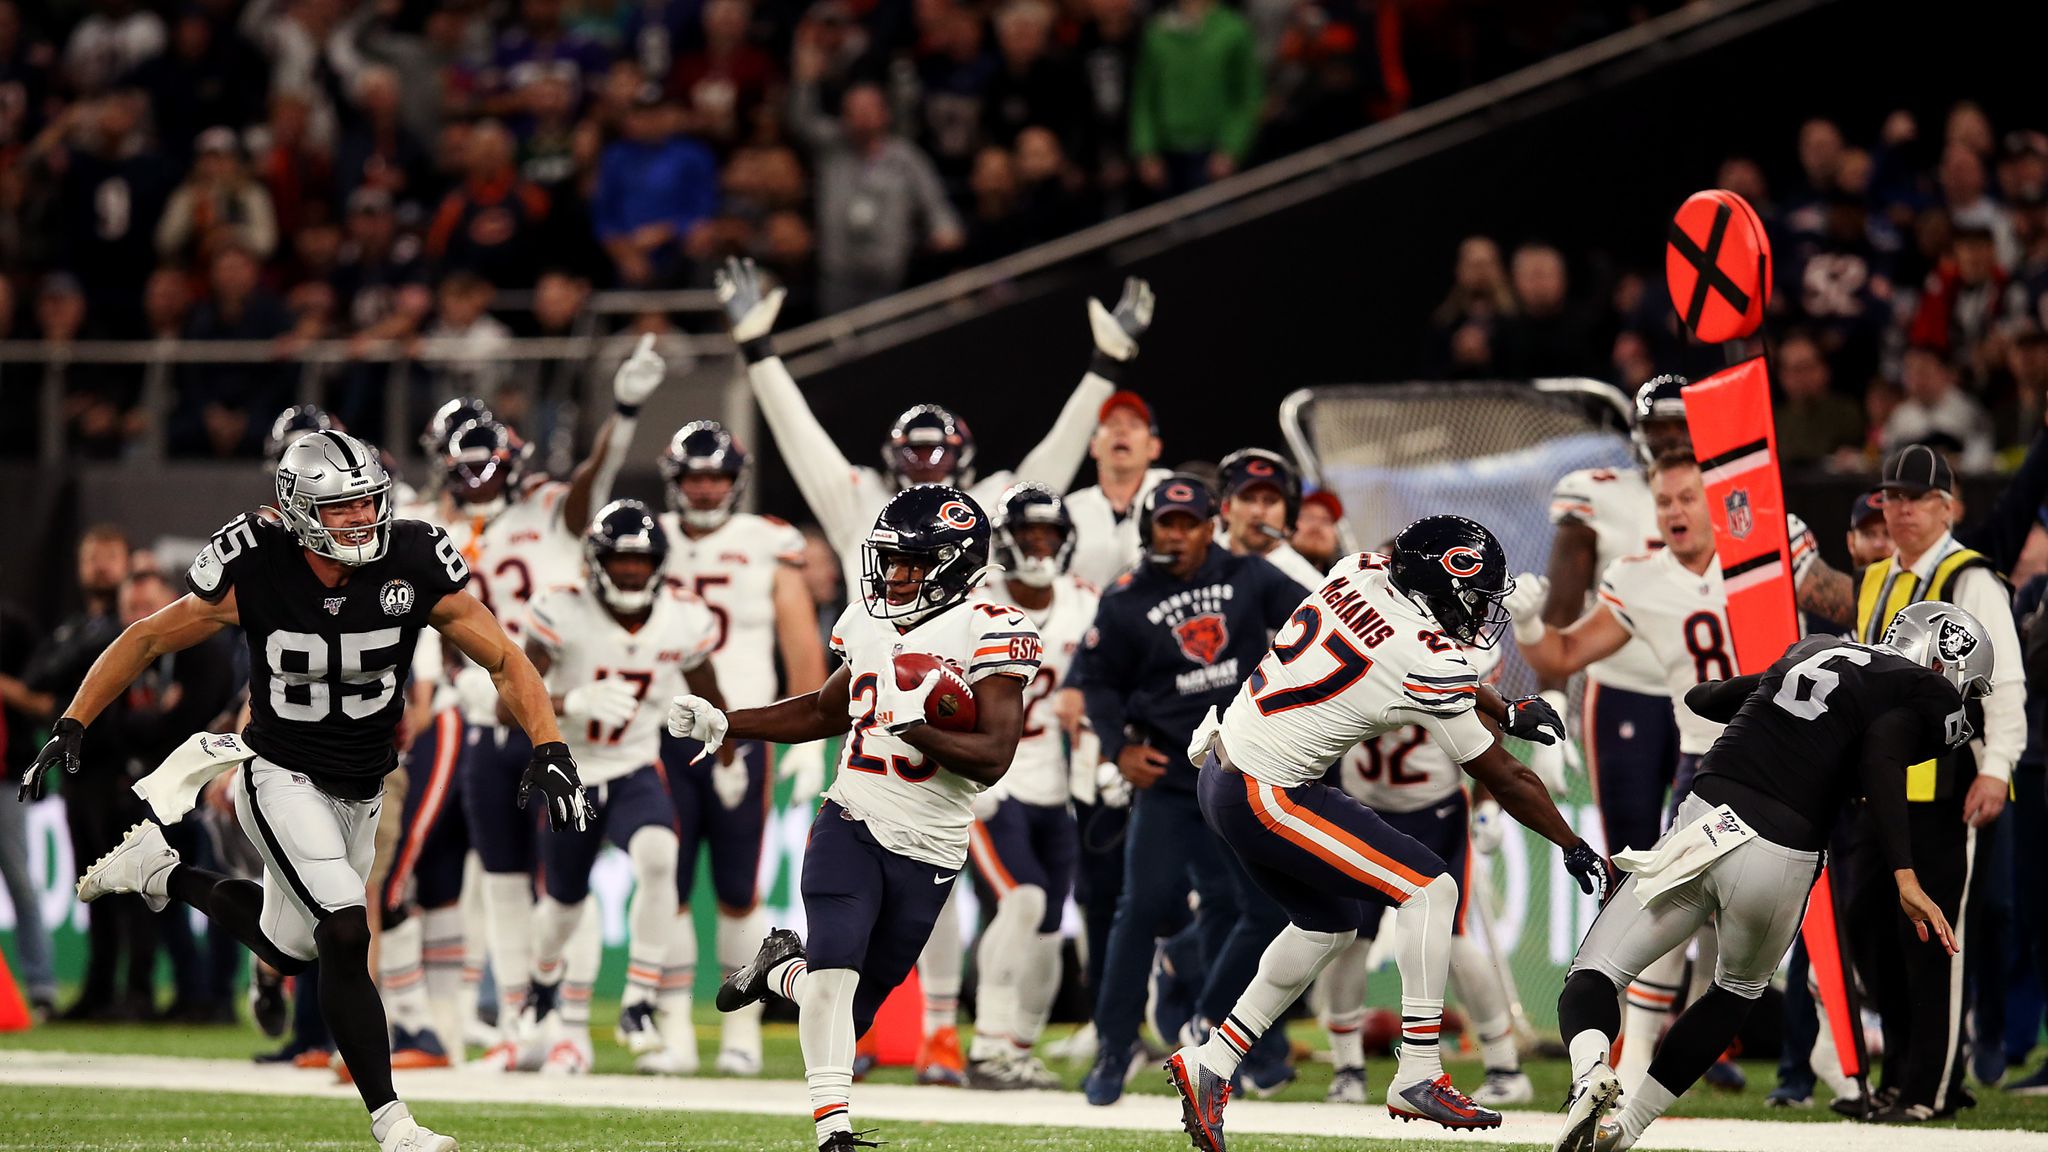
(927, 446)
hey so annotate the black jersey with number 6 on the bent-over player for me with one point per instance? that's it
(1818, 725)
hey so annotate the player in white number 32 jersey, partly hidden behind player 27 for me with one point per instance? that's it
(1420, 792)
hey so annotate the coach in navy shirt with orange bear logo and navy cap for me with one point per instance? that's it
(1172, 641)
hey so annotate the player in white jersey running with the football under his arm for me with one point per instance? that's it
(892, 839)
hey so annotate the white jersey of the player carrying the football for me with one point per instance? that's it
(912, 807)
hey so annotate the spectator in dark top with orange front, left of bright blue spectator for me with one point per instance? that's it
(488, 224)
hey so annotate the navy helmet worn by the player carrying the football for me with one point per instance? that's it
(937, 532)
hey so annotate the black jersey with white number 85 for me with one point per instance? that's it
(329, 665)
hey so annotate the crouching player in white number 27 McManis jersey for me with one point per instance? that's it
(1371, 651)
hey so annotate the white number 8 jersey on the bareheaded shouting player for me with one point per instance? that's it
(1684, 622)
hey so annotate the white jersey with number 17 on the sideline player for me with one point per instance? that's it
(587, 645)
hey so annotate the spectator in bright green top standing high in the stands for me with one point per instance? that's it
(1197, 97)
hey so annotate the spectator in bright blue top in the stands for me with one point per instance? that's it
(656, 190)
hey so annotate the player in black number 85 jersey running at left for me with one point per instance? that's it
(333, 595)
